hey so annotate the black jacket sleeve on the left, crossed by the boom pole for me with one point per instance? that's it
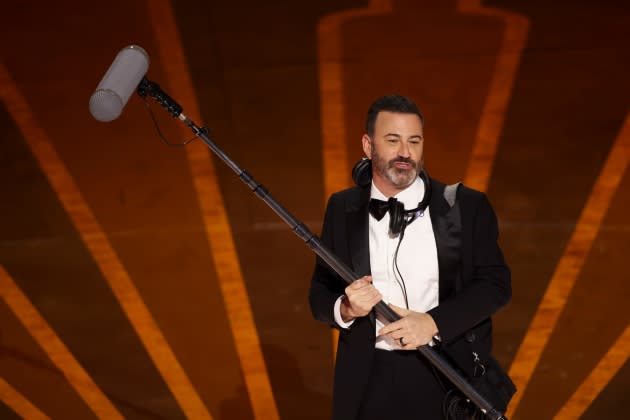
(326, 285)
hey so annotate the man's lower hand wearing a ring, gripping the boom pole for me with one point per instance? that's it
(415, 328)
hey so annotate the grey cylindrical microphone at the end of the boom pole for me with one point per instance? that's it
(120, 81)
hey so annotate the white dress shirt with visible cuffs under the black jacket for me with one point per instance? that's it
(417, 261)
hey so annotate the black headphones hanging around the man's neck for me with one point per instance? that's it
(399, 218)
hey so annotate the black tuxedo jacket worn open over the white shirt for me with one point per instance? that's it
(474, 282)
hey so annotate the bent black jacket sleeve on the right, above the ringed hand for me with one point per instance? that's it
(488, 290)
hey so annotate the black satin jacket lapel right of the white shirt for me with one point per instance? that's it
(446, 223)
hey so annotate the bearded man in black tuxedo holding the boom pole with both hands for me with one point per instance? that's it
(444, 282)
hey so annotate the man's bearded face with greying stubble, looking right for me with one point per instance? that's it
(395, 150)
